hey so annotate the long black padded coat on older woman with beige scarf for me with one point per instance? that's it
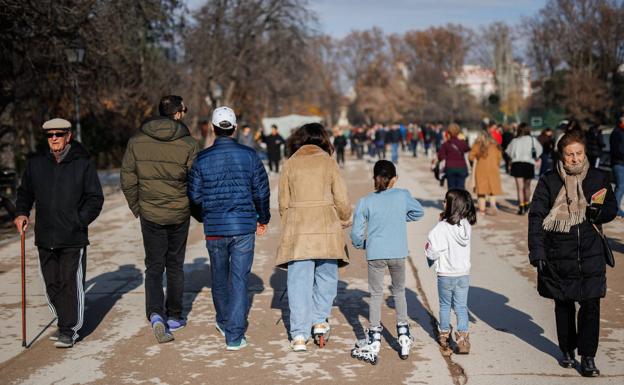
(575, 265)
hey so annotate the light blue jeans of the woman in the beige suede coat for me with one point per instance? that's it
(312, 286)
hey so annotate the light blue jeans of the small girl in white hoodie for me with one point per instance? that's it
(453, 293)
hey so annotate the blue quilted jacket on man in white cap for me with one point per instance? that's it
(229, 182)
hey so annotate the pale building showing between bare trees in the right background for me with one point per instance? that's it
(481, 81)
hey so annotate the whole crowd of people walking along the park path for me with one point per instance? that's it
(167, 177)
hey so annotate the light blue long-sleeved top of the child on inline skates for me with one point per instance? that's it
(379, 223)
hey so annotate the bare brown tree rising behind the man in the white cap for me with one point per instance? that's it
(248, 53)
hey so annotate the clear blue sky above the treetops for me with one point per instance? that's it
(339, 17)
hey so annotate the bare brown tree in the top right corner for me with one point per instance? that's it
(577, 47)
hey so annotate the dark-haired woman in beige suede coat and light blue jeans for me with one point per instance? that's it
(314, 208)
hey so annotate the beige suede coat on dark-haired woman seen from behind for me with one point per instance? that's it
(313, 205)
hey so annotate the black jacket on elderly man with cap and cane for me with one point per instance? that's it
(67, 195)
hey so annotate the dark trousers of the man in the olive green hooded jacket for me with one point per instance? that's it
(165, 246)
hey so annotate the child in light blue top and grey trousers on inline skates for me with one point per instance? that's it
(379, 226)
